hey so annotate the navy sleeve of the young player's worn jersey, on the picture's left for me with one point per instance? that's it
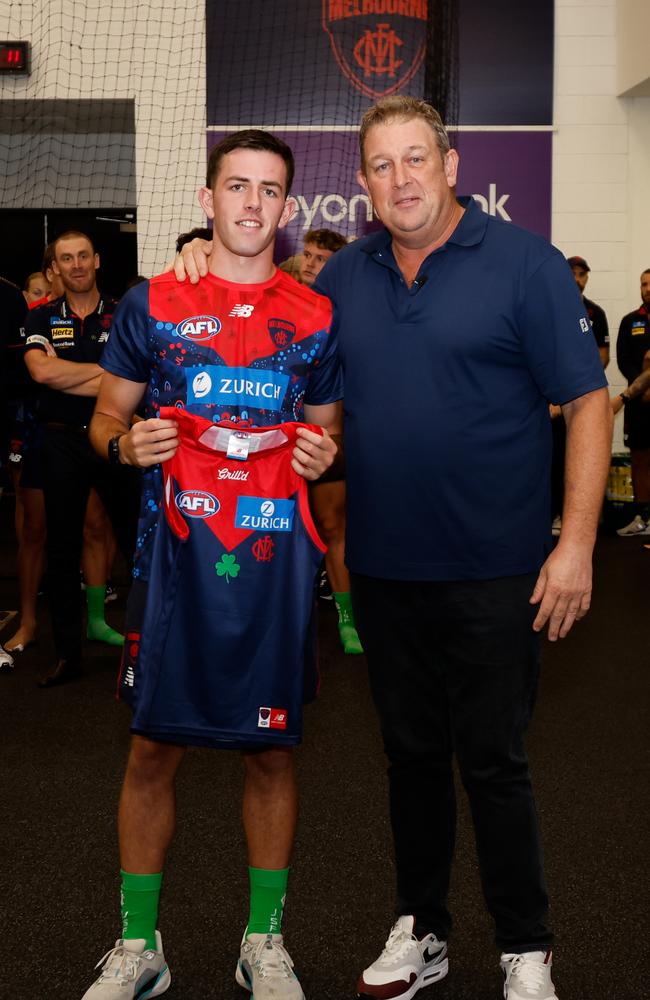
(127, 353)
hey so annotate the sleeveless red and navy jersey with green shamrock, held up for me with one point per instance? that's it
(226, 640)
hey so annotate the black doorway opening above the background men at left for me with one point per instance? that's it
(113, 231)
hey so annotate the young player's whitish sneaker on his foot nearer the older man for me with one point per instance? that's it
(266, 970)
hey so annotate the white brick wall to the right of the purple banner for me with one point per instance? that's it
(601, 163)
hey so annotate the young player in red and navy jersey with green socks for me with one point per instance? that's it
(250, 346)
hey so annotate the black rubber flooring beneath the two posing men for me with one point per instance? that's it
(62, 754)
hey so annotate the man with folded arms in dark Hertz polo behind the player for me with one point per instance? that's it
(64, 342)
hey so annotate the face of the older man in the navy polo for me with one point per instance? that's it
(409, 181)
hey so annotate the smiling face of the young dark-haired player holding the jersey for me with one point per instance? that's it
(247, 201)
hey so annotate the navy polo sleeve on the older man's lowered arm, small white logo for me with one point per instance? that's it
(556, 334)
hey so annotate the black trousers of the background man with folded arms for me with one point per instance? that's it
(70, 468)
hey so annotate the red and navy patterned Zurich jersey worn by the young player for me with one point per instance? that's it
(249, 354)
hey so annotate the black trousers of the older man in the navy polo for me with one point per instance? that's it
(453, 671)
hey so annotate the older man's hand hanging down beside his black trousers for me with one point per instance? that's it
(564, 589)
